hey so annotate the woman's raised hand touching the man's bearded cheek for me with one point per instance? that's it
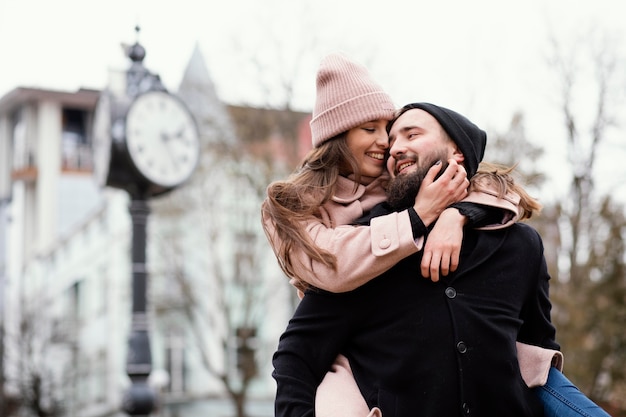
(435, 196)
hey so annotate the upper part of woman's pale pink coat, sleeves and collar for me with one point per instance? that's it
(363, 252)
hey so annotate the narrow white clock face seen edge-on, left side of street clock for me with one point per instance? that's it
(101, 142)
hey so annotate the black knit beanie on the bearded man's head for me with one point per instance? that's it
(470, 139)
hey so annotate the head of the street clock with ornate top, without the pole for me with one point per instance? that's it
(145, 141)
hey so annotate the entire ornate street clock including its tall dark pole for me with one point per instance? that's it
(145, 142)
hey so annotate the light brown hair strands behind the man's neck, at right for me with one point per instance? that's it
(501, 177)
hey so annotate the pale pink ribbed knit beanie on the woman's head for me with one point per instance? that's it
(346, 98)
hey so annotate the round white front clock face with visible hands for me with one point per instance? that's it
(162, 138)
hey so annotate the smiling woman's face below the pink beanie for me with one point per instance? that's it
(369, 143)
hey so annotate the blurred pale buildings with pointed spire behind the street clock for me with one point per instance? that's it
(217, 299)
